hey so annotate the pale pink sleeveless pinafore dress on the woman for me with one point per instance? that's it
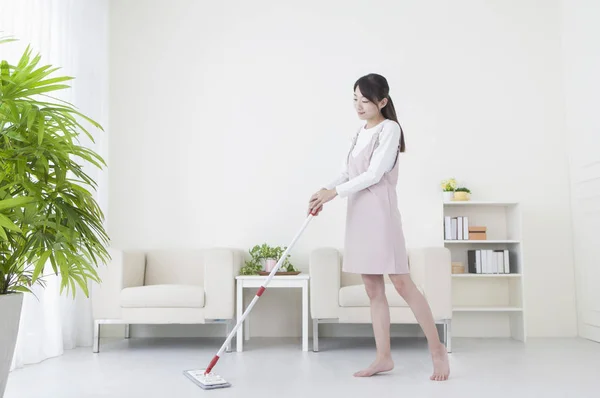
(374, 240)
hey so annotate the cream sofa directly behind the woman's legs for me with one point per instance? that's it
(339, 297)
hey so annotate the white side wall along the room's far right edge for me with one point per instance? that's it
(581, 46)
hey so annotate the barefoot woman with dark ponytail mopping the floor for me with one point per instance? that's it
(374, 242)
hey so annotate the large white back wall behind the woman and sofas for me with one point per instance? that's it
(226, 116)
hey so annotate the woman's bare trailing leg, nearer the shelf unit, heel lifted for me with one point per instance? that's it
(420, 308)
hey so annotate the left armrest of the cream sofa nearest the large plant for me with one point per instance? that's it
(126, 269)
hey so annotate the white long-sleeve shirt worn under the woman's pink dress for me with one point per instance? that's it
(382, 160)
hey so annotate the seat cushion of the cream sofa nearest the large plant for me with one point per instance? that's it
(163, 296)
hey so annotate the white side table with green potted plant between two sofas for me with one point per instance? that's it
(278, 281)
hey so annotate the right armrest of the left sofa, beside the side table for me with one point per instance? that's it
(221, 266)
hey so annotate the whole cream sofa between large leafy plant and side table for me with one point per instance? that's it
(166, 287)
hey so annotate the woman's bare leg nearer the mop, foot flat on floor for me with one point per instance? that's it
(380, 315)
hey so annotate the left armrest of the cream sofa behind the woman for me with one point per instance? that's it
(325, 279)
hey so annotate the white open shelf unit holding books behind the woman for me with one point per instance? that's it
(488, 305)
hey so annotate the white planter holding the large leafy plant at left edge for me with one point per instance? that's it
(10, 308)
